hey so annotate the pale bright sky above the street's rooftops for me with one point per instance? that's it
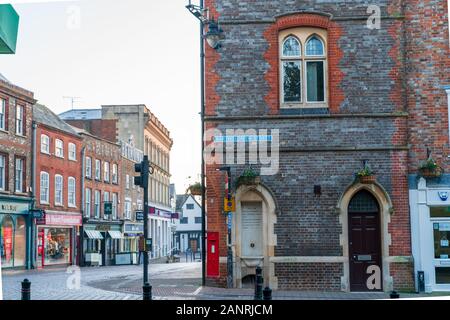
(115, 52)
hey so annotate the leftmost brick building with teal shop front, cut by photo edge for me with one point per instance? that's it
(16, 194)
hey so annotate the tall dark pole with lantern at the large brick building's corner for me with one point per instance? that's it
(213, 38)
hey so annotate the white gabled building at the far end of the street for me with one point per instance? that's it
(189, 226)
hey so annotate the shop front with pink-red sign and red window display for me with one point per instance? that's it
(57, 237)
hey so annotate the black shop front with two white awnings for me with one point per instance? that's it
(101, 244)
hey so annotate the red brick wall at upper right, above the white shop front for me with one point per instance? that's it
(428, 68)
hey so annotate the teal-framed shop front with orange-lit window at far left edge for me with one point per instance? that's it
(14, 233)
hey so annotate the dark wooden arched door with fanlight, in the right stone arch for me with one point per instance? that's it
(364, 242)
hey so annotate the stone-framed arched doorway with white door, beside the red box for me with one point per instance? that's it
(253, 236)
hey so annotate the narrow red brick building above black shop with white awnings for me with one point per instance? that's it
(101, 177)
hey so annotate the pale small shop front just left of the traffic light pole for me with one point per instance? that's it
(130, 244)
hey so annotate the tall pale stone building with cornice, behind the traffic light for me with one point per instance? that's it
(137, 123)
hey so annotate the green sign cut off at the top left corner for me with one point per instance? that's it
(9, 26)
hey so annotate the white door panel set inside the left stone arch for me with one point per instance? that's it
(251, 229)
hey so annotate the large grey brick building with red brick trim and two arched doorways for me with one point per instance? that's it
(337, 89)
